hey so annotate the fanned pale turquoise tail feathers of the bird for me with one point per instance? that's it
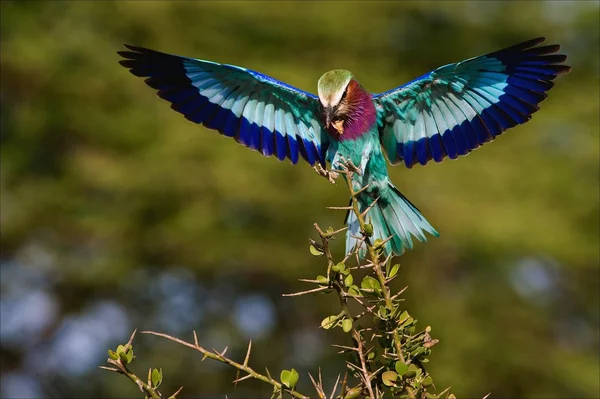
(392, 216)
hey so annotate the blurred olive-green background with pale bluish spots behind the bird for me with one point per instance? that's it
(117, 213)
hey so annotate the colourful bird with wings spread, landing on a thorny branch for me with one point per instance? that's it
(445, 113)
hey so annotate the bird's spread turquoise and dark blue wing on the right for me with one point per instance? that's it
(459, 107)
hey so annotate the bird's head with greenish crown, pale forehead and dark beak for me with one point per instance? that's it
(333, 90)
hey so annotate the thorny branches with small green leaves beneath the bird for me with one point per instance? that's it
(395, 364)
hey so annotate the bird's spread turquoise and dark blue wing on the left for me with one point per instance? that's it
(259, 112)
